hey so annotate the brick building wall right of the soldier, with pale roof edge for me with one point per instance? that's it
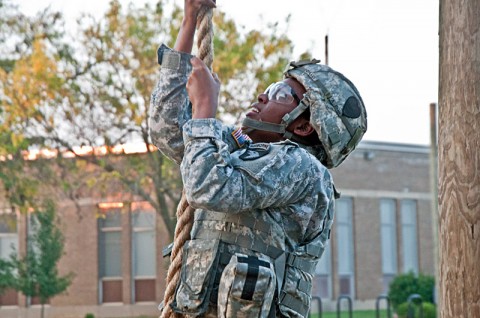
(378, 171)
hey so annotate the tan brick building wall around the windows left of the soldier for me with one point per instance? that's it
(79, 225)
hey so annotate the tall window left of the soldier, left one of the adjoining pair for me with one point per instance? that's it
(110, 255)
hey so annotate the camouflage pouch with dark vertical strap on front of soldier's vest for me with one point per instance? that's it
(247, 287)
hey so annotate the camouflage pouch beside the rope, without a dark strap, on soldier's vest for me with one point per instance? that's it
(199, 262)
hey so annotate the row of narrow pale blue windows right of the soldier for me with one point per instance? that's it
(344, 245)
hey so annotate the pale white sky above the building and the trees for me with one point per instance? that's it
(388, 48)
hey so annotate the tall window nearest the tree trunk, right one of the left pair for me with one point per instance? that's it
(143, 252)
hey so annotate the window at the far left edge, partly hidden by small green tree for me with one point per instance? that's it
(8, 243)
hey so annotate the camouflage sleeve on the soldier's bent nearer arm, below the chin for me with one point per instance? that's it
(214, 181)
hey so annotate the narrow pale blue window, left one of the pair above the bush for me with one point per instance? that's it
(388, 241)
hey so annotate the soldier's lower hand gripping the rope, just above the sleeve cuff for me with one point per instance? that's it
(203, 89)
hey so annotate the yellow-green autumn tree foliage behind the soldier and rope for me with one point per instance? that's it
(93, 89)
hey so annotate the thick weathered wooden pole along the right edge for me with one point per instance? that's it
(459, 159)
